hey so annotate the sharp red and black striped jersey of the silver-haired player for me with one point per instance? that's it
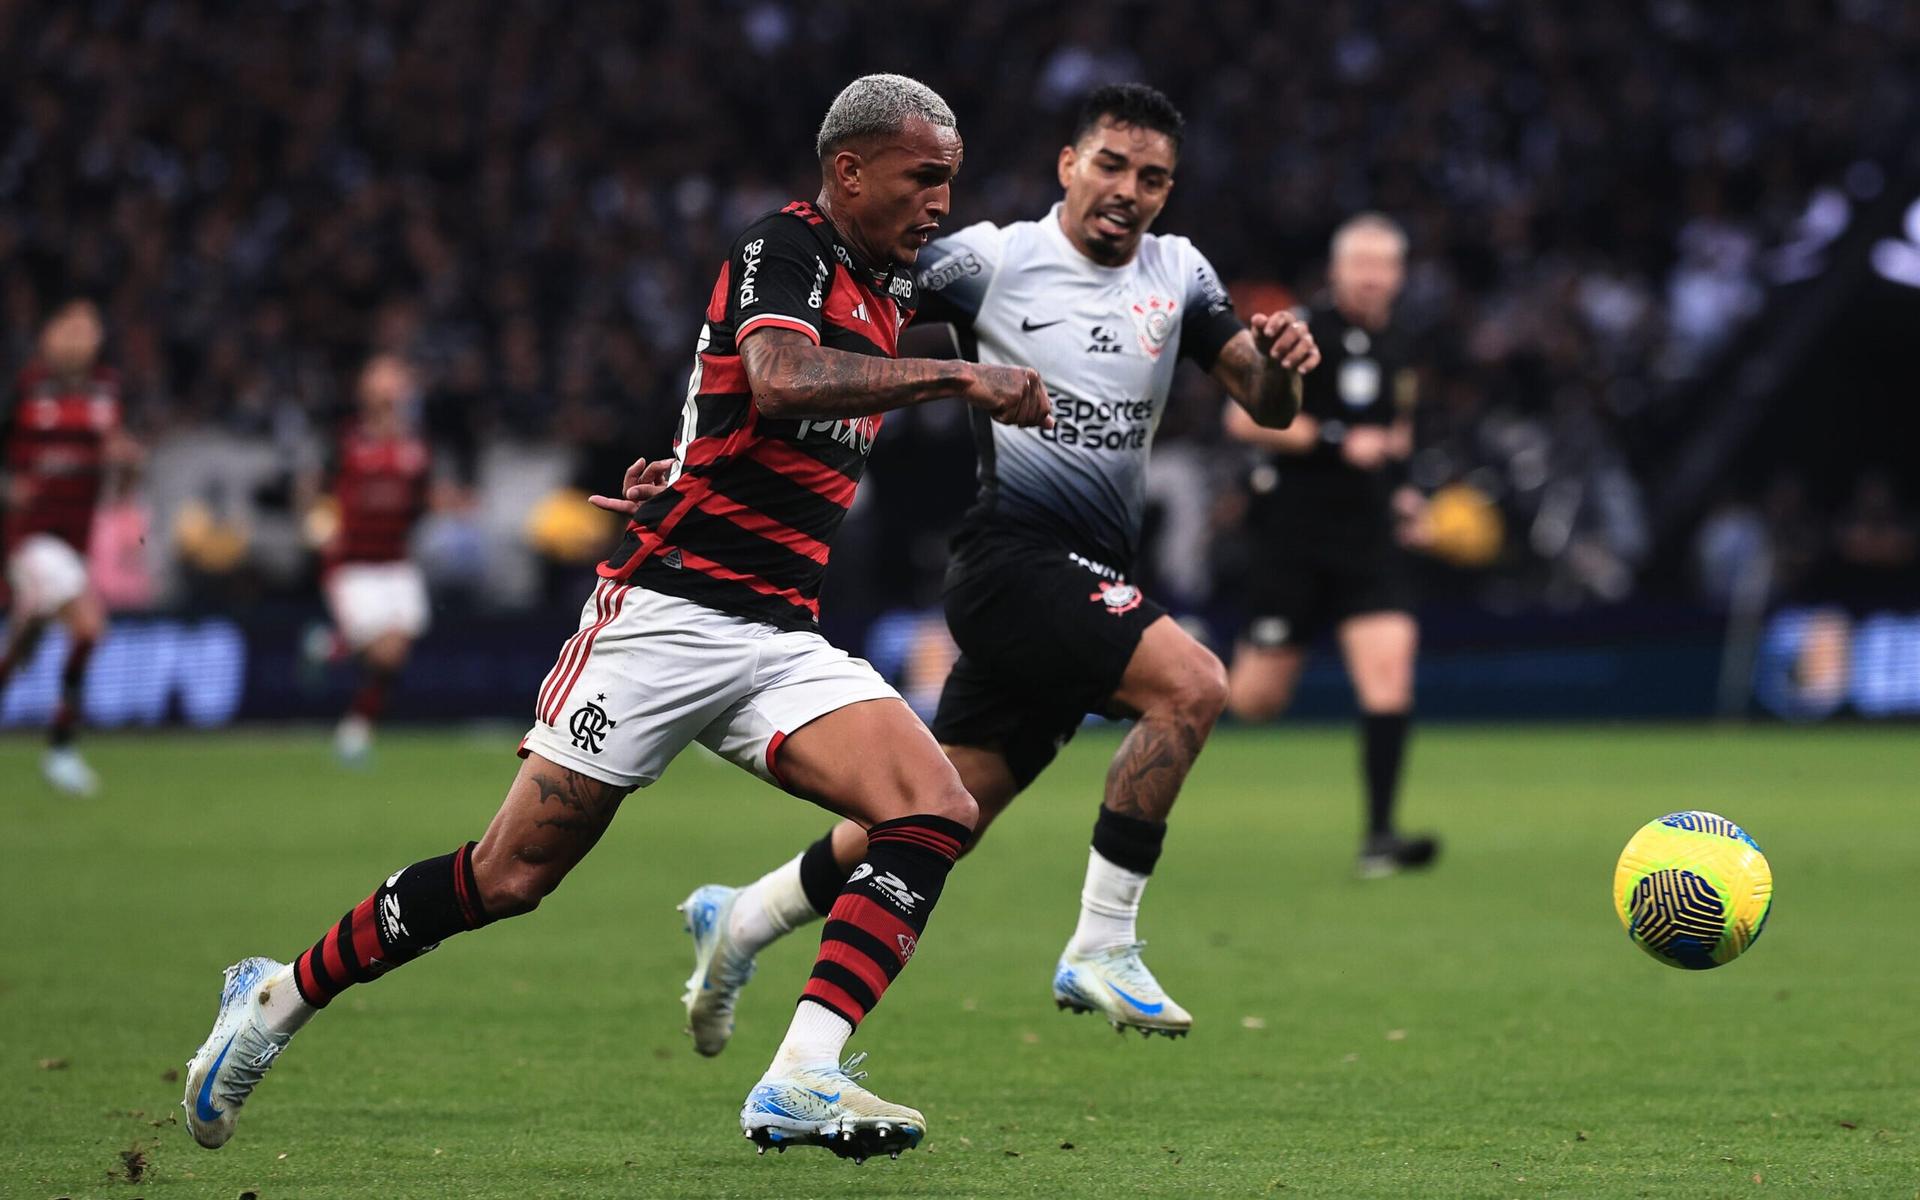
(750, 516)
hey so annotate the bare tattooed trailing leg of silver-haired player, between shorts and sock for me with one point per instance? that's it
(550, 821)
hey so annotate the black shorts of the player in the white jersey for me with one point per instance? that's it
(1045, 638)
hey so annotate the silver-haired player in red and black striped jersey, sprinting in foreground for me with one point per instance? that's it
(704, 629)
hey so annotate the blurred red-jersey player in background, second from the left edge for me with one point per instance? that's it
(379, 491)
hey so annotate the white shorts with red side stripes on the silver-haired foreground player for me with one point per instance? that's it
(650, 673)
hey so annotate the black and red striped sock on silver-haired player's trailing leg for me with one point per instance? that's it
(410, 915)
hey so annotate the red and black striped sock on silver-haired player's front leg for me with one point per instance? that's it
(882, 911)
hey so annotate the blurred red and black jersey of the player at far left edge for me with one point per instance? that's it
(55, 439)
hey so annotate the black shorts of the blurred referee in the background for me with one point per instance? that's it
(1301, 588)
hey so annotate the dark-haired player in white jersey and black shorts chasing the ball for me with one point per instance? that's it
(1038, 594)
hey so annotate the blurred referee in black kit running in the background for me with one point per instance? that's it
(1326, 521)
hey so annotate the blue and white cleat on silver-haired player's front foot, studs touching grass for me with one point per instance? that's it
(827, 1107)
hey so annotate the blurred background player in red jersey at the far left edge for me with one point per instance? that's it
(60, 435)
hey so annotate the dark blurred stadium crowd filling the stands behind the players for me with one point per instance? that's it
(527, 201)
